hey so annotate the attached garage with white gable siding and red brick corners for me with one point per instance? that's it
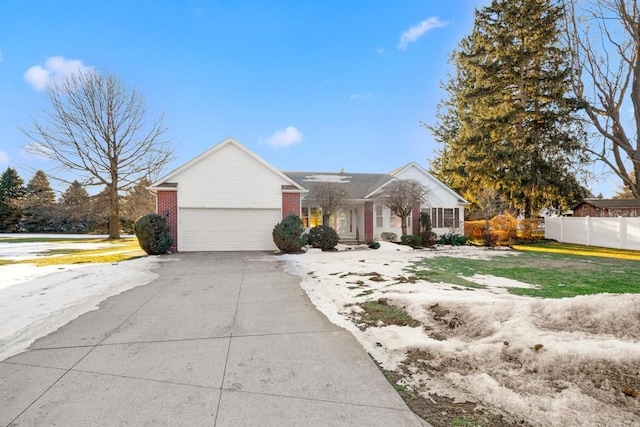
(226, 199)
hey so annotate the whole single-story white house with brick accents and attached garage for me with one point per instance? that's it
(229, 199)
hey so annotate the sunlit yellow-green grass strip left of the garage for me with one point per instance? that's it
(115, 251)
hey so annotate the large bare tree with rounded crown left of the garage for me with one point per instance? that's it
(96, 126)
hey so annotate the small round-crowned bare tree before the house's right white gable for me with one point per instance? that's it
(401, 196)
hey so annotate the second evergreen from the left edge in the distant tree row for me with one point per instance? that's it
(38, 204)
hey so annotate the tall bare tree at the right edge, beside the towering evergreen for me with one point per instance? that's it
(604, 38)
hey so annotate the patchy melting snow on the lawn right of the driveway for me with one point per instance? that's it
(560, 362)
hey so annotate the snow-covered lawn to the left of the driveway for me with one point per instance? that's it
(35, 301)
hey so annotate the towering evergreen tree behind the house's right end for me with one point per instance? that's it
(510, 123)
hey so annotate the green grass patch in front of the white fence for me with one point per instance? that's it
(556, 275)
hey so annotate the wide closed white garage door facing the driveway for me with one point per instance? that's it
(226, 229)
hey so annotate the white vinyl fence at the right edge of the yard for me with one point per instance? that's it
(619, 233)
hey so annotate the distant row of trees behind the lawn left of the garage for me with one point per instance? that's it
(33, 208)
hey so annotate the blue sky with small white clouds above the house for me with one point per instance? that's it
(307, 85)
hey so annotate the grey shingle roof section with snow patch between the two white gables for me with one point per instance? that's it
(359, 184)
